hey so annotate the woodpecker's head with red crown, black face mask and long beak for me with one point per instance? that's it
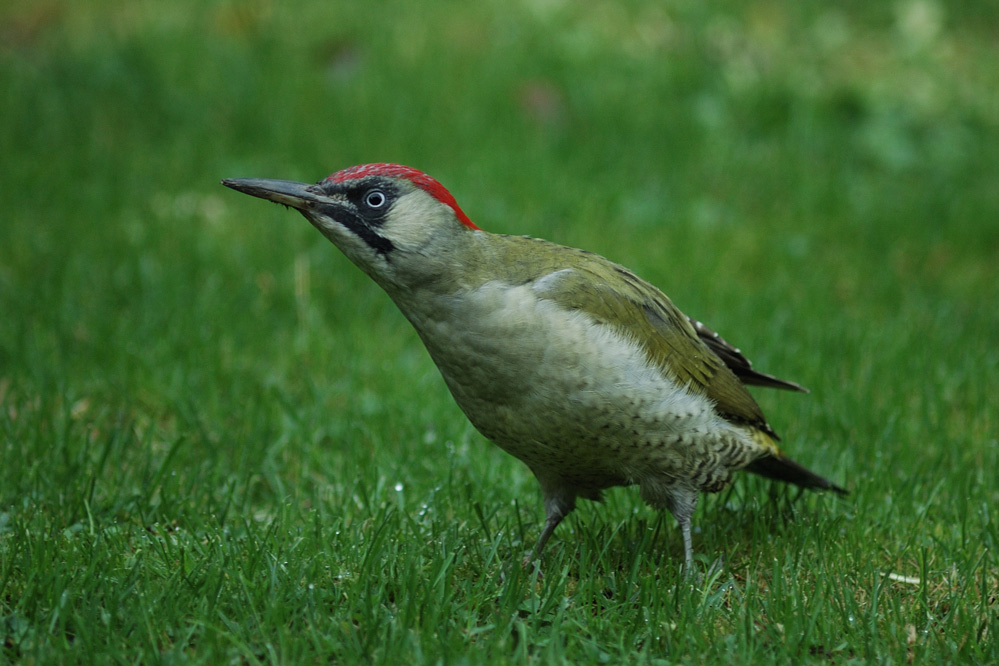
(389, 219)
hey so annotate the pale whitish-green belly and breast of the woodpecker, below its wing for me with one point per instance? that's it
(568, 396)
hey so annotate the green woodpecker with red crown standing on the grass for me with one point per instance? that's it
(571, 363)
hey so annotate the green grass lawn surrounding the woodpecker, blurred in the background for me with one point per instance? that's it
(221, 443)
